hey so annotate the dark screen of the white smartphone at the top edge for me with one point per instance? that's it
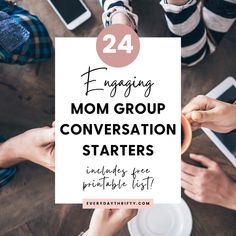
(69, 9)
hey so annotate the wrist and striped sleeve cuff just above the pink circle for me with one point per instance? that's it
(118, 12)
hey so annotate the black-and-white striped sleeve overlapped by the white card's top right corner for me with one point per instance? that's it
(185, 22)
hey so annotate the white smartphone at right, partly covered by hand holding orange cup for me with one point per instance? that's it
(226, 92)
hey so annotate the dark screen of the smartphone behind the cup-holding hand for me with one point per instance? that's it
(229, 139)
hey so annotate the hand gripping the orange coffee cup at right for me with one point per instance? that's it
(218, 116)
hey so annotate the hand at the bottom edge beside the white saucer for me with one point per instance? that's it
(108, 222)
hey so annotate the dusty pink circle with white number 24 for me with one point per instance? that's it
(118, 45)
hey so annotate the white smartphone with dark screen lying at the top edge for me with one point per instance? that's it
(72, 12)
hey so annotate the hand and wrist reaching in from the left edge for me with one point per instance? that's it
(36, 145)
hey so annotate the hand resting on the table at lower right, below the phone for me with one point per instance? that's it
(208, 185)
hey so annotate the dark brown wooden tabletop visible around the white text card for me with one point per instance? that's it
(27, 100)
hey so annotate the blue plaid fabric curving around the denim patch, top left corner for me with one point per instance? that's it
(38, 47)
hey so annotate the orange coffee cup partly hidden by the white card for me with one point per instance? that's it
(186, 134)
